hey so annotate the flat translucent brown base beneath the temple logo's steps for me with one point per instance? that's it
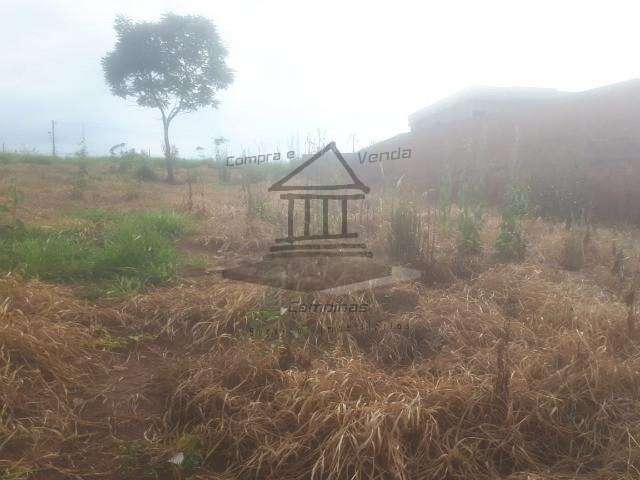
(333, 275)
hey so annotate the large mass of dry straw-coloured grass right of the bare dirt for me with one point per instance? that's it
(453, 397)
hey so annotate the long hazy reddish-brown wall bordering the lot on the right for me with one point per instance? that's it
(587, 144)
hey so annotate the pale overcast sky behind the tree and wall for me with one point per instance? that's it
(344, 67)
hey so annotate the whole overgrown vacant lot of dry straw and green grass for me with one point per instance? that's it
(124, 354)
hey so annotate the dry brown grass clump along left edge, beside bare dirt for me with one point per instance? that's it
(46, 372)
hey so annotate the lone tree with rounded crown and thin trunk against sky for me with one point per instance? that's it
(176, 65)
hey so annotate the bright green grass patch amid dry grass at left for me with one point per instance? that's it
(115, 254)
